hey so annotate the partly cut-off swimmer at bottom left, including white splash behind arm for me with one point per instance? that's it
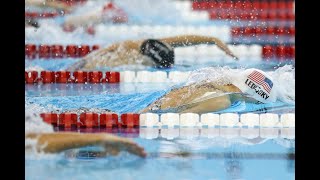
(49, 141)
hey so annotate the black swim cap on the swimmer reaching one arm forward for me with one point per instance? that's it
(161, 53)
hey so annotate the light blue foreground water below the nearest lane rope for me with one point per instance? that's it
(209, 158)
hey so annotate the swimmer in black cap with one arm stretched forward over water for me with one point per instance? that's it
(150, 52)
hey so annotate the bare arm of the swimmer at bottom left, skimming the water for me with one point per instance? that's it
(58, 142)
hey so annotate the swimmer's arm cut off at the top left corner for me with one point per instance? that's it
(49, 3)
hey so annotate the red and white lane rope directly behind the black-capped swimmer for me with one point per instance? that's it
(253, 51)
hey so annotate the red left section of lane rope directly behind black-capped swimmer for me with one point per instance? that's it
(44, 51)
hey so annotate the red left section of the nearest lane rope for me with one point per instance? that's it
(91, 120)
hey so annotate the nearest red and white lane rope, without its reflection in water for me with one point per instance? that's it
(170, 120)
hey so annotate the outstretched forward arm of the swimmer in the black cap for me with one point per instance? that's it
(189, 40)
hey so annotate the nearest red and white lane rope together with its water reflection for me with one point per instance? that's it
(174, 125)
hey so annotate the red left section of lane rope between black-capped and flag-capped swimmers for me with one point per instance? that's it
(32, 77)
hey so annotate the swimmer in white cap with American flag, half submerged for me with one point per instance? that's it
(251, 85)
